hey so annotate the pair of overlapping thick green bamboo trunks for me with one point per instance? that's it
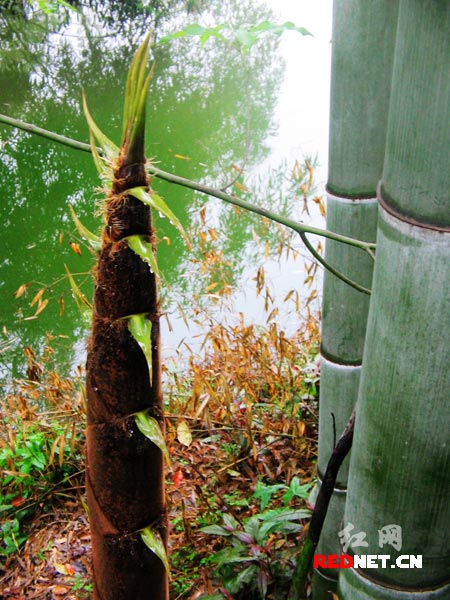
(389, 154)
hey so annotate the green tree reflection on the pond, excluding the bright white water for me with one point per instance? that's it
(209, 108)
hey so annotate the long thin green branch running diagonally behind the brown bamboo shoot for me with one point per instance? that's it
(210, 191)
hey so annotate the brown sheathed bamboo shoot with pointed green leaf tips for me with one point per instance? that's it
(124, 466)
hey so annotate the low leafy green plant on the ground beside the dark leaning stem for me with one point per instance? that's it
(257, 557)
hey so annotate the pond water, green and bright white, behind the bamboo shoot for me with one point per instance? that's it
(212, 110)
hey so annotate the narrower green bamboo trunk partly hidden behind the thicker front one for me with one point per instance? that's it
(363, 40)
